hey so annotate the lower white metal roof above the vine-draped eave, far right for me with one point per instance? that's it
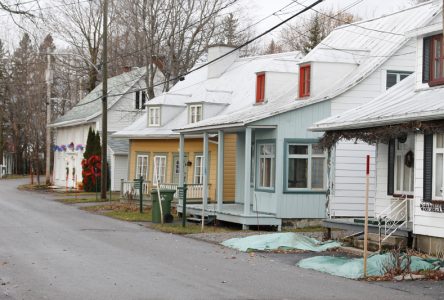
(401, 103)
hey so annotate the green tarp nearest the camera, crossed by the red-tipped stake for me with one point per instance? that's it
(353, 268)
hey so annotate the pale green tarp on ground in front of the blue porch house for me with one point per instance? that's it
(276, 241)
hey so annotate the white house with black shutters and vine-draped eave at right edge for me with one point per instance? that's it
(407, 126)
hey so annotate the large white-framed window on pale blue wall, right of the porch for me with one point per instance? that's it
(306, 167)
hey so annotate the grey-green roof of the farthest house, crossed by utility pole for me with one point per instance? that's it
(91, 106)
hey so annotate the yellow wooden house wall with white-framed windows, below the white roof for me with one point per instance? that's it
(145, 153)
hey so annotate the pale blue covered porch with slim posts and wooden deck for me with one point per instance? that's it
(244, 210)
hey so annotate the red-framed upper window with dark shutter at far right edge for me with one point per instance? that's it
(433, 60)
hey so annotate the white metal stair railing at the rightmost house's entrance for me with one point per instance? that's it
(396, 216)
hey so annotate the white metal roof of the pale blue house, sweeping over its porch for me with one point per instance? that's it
(367, 43)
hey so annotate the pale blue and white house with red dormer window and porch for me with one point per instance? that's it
(281, 170)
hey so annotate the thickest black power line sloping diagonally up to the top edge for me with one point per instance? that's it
(220, 57)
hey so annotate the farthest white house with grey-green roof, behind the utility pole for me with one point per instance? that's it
(126, 102)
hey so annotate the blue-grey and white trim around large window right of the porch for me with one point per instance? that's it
(309, 190)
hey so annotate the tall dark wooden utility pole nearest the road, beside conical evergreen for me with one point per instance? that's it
(103, 178)
